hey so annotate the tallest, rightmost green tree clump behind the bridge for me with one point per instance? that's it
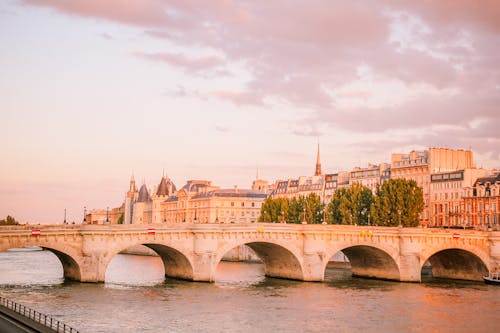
(398, 202)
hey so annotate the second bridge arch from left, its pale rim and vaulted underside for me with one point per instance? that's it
(175, 262)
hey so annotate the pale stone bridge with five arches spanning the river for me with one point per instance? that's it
(291, 251)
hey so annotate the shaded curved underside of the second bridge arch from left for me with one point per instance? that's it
(175, 263)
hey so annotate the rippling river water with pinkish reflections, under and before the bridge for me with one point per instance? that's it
(137, 298)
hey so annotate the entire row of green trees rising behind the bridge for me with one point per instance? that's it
(397, 201)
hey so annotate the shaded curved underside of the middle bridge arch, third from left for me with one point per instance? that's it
(279, 262)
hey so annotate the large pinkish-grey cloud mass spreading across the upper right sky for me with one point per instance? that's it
(371, 67)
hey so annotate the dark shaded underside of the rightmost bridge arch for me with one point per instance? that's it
(456, 264)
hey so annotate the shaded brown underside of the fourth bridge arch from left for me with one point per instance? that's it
(371, 262)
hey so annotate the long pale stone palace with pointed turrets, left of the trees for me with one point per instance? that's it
(197, 202)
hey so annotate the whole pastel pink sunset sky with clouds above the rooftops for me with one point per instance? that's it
(94, 91)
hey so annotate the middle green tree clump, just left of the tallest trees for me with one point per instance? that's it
(350, 205)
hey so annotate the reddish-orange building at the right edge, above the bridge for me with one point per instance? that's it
(481, 203)
